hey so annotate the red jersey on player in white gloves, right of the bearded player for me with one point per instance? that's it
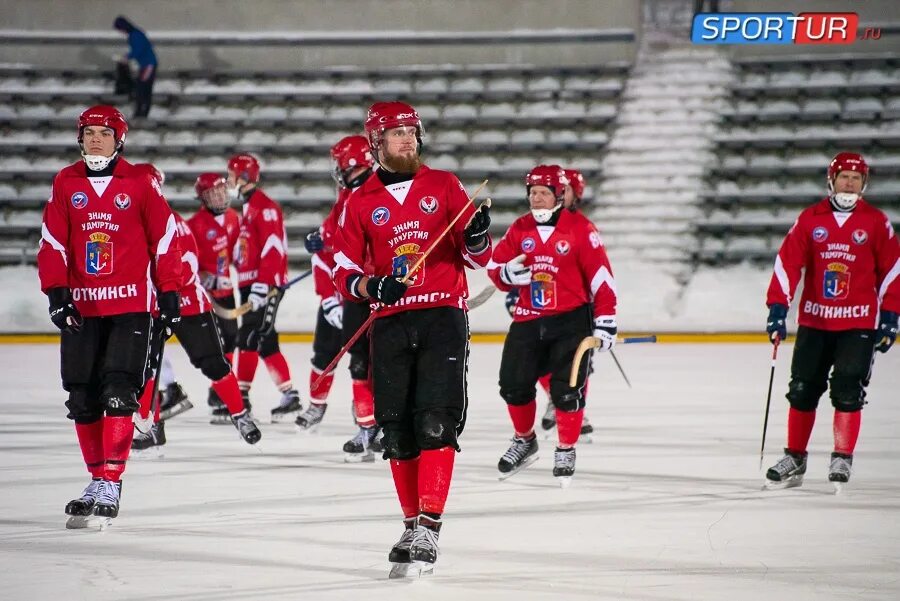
(568, 263)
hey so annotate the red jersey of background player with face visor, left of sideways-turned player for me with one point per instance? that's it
(215, 236)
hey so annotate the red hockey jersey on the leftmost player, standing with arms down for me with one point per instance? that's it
(99, 236)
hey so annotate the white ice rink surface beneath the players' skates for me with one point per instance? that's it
(665, 504)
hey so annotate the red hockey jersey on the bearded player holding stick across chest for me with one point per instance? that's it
(393, 226)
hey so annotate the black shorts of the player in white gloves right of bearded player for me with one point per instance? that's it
(540, 346)
